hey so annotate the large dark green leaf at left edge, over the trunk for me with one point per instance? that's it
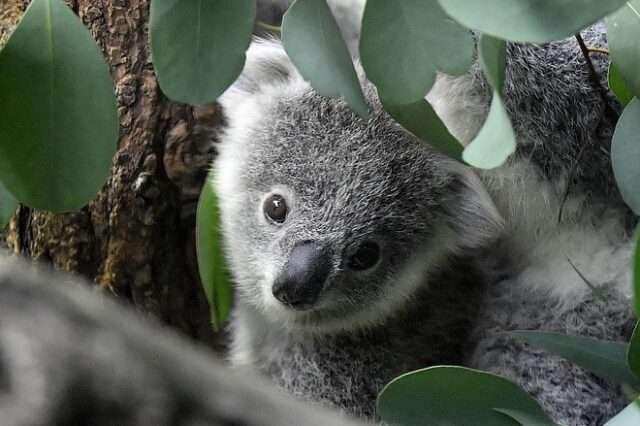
(59, 122)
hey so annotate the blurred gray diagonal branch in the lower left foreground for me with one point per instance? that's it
(69, 356)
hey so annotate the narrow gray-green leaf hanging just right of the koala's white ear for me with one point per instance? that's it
(312, 39)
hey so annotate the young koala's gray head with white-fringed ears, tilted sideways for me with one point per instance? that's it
(332, 222)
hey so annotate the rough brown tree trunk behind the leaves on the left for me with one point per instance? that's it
(136, 238)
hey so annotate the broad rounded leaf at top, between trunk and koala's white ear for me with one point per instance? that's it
(198, 46)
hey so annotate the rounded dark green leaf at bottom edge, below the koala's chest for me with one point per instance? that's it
(455, 396)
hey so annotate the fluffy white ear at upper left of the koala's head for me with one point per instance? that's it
(267, 64)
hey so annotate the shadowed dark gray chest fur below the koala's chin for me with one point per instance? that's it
(347, 371)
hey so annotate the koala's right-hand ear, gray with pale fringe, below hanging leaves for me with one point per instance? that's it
(471, 214)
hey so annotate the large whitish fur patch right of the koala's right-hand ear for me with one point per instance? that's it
(591, 236)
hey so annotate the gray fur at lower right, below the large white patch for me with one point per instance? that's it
(572, 395)
